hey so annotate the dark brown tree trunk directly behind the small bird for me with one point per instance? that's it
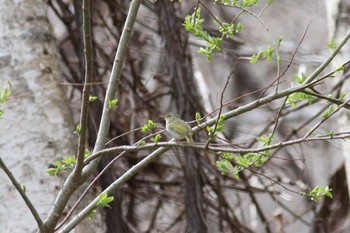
(187, 102)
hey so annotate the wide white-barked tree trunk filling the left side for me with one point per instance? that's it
(37, 127)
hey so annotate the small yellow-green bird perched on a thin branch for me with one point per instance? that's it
(178, 128)
